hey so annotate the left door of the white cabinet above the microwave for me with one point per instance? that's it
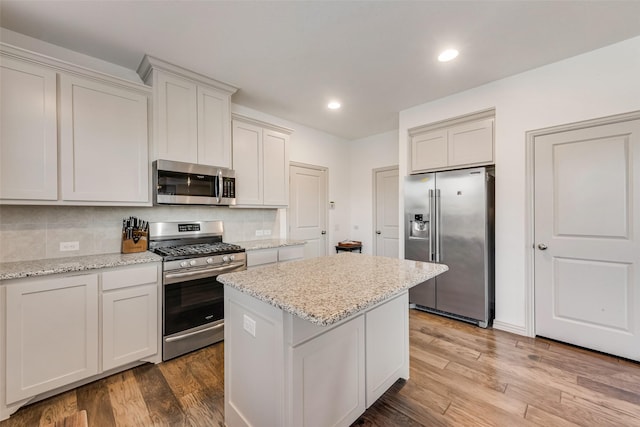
(176, 118)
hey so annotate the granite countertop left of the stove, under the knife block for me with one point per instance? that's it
(20, 269)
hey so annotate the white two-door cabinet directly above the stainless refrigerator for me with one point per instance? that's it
(462, 142)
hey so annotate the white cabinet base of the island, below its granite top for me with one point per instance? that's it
(317, 375)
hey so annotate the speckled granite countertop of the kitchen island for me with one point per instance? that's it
(328, 289)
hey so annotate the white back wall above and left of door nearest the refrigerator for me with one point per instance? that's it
(366, 154)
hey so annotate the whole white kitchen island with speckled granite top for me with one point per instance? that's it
(316, 342)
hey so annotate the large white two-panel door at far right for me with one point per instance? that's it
(587, 237)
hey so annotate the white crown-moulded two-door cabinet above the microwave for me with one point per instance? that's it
(192, 114)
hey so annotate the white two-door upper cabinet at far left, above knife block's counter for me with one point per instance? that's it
(94, 126)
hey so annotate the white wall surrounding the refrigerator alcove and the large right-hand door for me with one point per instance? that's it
(596, 84)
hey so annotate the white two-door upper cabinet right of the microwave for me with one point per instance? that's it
(261, 162)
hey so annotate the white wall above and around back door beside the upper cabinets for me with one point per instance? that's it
(311, 146)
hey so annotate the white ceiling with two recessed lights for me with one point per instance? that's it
(290, 58)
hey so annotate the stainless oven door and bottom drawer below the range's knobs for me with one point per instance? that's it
(193, 315)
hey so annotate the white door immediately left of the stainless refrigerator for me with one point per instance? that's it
(386, 212)
